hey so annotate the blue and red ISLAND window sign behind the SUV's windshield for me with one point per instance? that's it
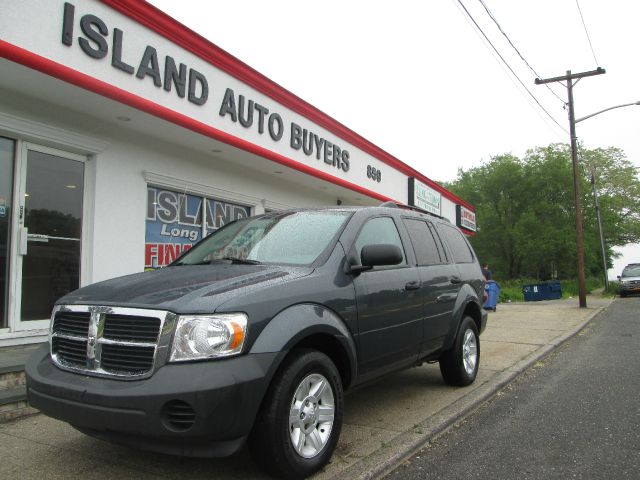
(177, 221)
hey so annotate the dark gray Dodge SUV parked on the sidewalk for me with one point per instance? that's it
(256, 332)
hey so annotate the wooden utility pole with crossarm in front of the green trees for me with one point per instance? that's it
(569, 78)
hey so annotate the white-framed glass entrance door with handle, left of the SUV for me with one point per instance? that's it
(50, 233)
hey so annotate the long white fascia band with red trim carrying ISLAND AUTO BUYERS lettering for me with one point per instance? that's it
(121, 59)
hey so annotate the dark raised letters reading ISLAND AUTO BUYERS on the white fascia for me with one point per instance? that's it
(99, 40)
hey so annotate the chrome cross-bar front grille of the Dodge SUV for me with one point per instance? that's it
(108, 341)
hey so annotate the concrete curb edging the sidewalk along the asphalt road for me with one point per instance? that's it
(380, 463)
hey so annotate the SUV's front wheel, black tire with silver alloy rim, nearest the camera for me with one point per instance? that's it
(299, 424)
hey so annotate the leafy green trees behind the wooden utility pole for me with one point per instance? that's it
(526, 210)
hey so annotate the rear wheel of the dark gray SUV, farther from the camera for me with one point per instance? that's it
(459, 365)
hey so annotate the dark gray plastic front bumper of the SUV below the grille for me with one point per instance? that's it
(223, 395)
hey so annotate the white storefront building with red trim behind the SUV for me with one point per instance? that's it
(125, 138)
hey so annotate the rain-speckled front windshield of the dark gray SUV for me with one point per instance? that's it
(294, 238)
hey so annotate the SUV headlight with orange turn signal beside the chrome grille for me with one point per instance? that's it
(208, 336)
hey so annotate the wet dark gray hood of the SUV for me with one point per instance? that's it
(185, 289)
